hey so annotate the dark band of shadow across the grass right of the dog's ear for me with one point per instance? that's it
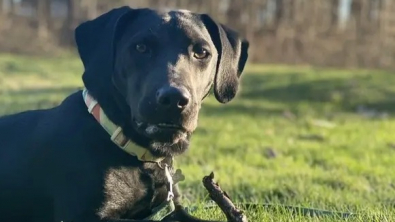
(346, 94)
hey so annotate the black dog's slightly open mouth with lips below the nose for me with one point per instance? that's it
(161, 132)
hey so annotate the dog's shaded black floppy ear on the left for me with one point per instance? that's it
(95, 41)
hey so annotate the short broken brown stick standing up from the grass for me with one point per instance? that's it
(222, 199)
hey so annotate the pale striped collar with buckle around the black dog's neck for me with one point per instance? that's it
(116, 132)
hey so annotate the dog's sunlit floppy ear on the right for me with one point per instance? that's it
(232, 57)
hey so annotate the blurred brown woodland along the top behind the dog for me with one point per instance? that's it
(347, 33)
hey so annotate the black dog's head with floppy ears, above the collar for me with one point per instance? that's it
(151, 70)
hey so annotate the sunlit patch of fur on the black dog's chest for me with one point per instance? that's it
(131, 193)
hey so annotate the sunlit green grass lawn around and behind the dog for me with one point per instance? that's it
(269, 145)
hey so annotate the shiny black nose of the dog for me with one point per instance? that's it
(170, 97)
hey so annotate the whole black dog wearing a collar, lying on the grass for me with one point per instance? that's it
(146, 74)
